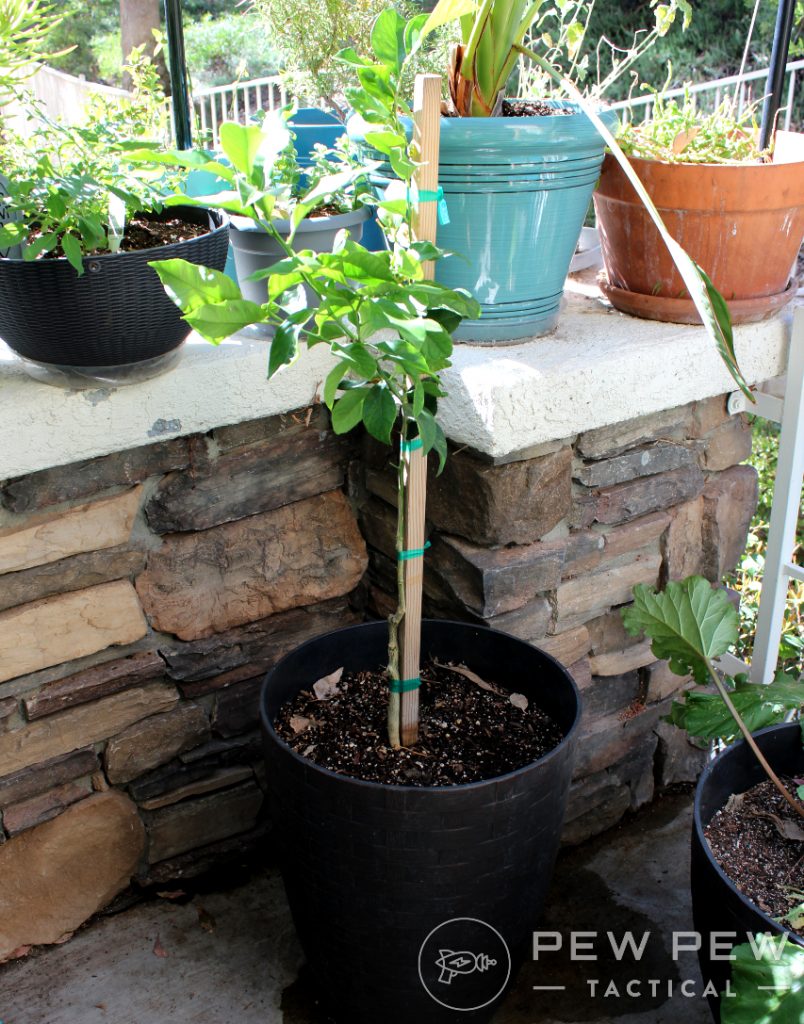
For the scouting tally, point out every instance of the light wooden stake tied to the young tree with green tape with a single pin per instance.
(427, 135)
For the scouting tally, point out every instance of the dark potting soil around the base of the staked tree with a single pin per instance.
(468, 734)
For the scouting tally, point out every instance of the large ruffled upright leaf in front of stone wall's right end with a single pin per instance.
(690, 624)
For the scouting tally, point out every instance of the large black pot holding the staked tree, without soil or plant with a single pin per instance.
(372, 871)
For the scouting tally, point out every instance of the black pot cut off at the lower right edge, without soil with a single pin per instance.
(717, 904)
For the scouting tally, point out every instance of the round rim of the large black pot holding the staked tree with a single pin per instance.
(306, 763)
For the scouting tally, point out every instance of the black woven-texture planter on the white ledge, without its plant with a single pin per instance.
(116, 314)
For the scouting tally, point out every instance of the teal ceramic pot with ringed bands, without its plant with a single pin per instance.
(518, 192)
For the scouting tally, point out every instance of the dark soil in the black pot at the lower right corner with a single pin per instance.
(764, 865)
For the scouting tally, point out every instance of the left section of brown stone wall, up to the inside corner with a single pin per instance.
(143, 596)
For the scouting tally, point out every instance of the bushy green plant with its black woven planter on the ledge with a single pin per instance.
(78, 300)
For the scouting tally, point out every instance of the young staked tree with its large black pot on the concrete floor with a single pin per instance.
(485, 826)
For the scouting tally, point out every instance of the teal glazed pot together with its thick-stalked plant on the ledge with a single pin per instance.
(518, 176)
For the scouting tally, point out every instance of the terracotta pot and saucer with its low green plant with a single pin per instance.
(721, 198)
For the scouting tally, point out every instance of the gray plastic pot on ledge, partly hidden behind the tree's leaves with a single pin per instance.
(257, 250)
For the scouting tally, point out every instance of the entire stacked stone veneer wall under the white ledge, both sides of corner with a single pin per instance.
(144, 594)
